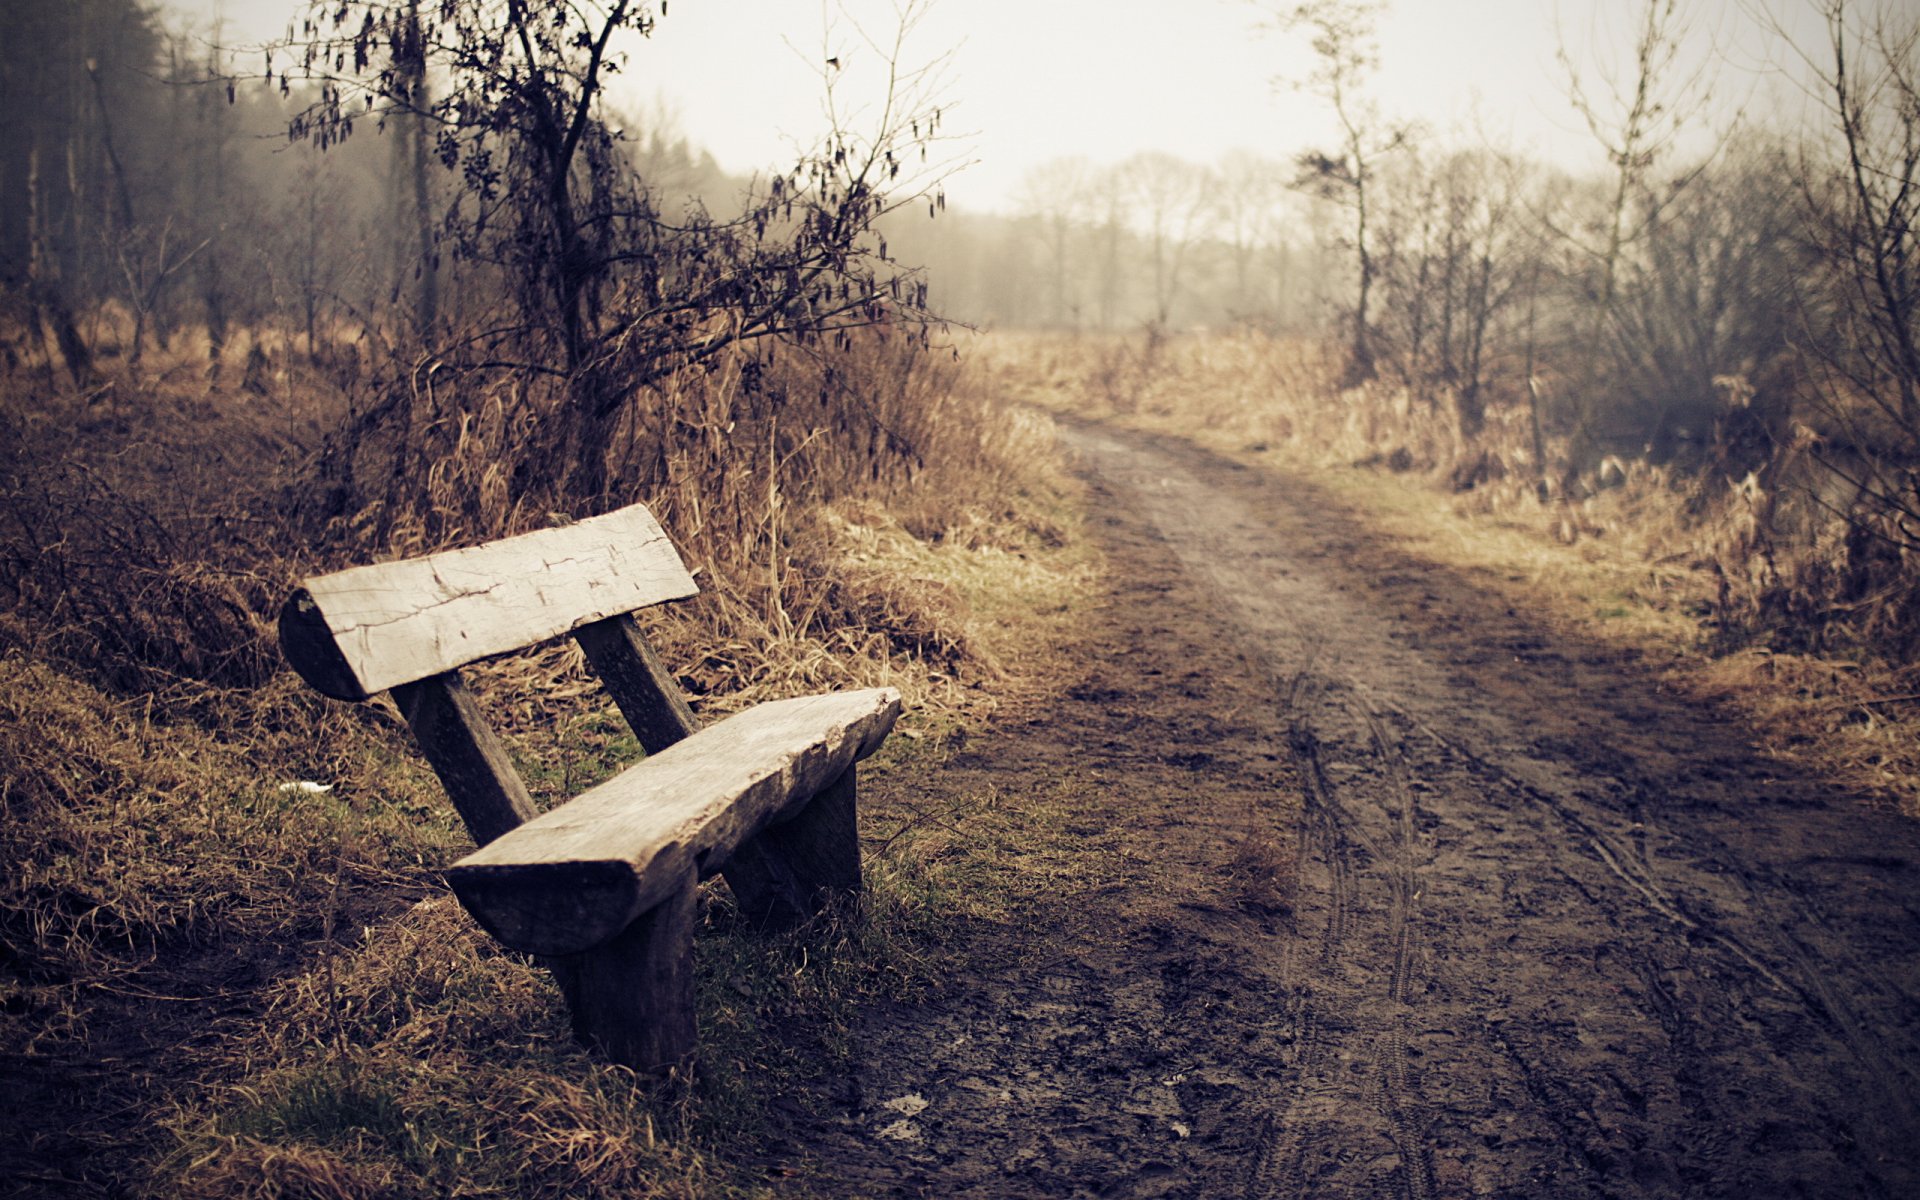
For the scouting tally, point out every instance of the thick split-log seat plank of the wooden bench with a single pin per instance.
(577, 876)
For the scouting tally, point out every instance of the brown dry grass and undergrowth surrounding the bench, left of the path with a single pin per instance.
(231, 882)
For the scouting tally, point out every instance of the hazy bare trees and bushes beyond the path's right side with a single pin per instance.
(1692, 302)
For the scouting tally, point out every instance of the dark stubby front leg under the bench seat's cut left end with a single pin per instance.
(633, 999)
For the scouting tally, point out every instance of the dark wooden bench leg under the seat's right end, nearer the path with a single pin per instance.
(790, 871)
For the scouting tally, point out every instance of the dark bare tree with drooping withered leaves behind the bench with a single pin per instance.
(610, 293)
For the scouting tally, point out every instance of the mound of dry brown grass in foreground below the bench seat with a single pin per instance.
(425, 1063)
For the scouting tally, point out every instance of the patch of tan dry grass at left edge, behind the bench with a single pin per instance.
(133, 840)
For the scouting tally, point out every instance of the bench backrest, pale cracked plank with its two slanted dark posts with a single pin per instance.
(410, 627)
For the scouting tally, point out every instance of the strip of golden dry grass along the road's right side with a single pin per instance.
(1752, 588)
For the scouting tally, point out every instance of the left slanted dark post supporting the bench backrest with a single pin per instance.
(466, 754)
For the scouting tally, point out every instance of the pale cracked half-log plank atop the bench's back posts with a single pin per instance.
(404, 621)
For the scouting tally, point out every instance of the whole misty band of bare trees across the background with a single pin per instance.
(1767, 281)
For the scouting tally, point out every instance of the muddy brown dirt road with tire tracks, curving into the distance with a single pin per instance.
(1550, 932)
